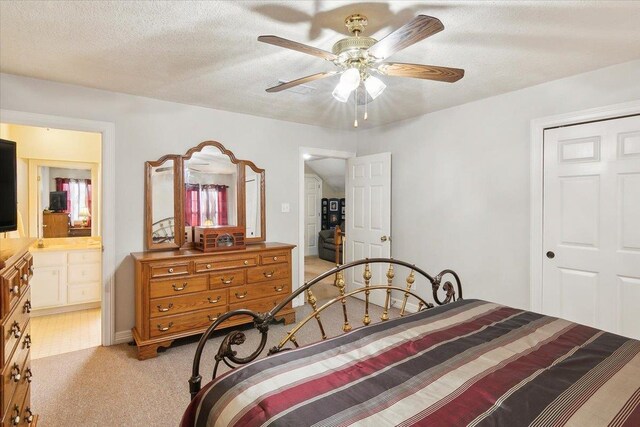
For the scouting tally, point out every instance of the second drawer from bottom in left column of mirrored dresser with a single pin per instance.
(161, 307)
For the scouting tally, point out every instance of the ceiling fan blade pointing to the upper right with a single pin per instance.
(419, 28)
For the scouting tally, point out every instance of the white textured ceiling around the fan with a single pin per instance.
(206, 53)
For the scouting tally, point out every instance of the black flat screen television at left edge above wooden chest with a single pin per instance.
(8, 187)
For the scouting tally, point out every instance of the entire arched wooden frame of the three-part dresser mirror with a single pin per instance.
(179, 240)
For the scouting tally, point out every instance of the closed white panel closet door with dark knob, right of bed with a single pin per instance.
(591, 269)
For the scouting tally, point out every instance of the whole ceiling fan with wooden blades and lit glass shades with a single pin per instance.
(359, 59)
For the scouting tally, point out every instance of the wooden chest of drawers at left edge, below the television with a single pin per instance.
(16, 270)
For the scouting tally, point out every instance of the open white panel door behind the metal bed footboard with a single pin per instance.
(368, 217)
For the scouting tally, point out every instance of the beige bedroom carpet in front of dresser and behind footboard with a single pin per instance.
(108, 386)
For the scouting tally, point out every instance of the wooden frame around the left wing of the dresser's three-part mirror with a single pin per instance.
(177, 209)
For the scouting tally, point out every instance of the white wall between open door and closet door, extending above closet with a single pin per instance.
(461, 179)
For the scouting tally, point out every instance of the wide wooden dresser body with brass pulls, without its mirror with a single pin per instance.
(180, 293)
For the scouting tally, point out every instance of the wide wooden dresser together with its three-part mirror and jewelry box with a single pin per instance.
(180, 290)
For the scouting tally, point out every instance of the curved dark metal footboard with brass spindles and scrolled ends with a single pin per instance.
(261, 321)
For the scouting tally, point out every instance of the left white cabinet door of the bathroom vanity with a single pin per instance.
(48, 287)
